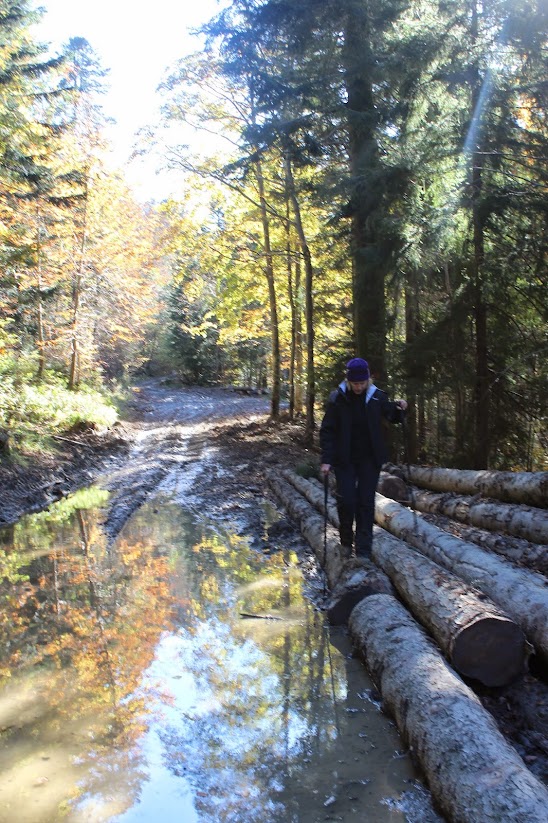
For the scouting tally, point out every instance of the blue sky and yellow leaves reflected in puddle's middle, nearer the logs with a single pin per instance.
(265, 690)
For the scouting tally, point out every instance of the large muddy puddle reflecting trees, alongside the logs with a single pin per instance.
(179, 675)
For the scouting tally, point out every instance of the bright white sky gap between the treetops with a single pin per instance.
(137, 42)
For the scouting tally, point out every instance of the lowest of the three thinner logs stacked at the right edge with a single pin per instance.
(514, 549)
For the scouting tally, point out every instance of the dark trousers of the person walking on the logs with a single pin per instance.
(356, 486)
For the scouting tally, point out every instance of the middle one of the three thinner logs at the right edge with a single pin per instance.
(522, 521)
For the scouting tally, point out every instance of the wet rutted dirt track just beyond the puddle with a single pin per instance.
(176, 438)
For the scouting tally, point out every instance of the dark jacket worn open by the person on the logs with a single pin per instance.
(336, 427)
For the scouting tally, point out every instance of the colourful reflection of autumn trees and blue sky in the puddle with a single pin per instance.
(92, 617)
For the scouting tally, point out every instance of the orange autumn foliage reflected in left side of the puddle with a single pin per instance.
(91, 618)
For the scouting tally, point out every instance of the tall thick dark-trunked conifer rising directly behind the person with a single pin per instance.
(342, 83)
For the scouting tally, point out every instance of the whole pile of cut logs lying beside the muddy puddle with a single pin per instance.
(444, 607)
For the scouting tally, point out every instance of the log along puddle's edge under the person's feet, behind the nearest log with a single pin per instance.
(350, 579)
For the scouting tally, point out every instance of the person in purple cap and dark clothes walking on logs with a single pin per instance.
(352, 443)
